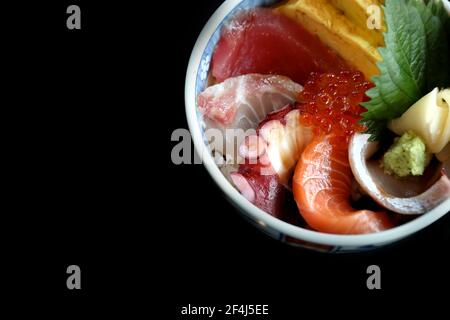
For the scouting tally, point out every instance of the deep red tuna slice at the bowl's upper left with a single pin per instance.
(263, 41)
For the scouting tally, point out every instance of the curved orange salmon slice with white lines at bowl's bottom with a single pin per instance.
(322, 187)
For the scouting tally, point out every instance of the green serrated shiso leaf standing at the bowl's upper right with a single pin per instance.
(414, 61)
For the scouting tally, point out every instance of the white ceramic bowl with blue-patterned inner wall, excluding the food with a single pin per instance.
(195, 83)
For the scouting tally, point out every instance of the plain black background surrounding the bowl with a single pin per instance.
(93, 183)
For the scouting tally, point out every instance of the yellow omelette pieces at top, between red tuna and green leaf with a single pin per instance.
(335, 24)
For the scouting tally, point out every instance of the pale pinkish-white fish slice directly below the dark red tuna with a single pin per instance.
(242, 102)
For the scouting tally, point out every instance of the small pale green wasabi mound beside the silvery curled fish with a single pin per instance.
(407, 156)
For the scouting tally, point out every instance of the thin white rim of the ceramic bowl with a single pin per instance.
(248, 208)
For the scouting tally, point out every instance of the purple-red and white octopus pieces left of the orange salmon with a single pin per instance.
(270, 157)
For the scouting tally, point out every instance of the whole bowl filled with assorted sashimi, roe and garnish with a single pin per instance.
(326, 122)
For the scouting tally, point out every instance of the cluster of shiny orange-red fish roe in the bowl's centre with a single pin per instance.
(331, 102)
